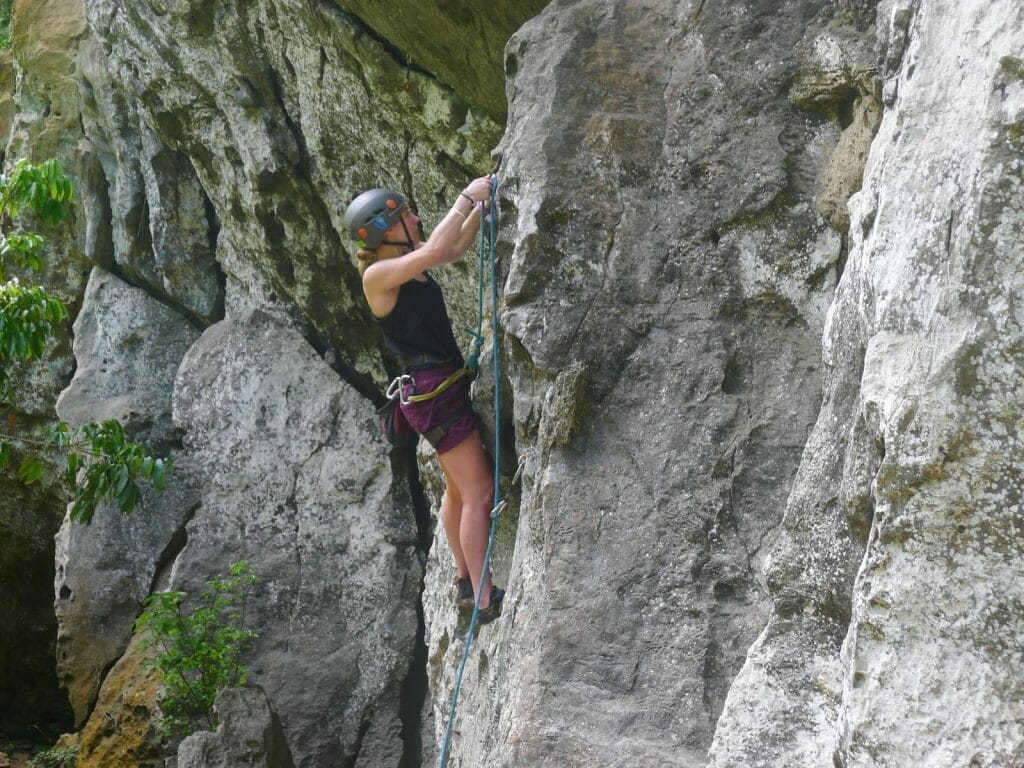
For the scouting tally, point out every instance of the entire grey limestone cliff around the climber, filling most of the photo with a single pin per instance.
(769, 434)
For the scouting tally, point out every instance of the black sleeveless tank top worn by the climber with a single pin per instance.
(419, 323)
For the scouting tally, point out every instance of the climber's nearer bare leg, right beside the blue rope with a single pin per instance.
(466, 468)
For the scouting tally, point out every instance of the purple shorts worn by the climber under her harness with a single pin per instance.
(452, 404)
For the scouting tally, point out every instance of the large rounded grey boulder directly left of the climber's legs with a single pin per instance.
(295, 481)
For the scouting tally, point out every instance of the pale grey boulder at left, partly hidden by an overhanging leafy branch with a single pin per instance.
(129, 347)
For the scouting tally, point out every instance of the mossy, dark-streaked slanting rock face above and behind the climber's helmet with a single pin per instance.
(241, 133)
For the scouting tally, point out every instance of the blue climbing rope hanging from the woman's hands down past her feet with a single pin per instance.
(488, 234)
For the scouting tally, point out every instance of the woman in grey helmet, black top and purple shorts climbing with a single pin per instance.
(409, 306)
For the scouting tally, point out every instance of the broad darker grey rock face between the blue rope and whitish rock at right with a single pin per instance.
(668, 278)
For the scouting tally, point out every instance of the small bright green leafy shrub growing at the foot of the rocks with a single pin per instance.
(198, 652)
